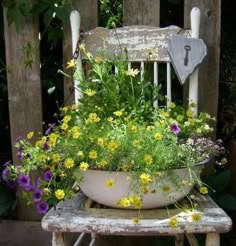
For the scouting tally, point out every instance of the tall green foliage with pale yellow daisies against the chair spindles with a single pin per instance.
(123, 89)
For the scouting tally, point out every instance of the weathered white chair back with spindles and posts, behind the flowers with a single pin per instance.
(141, 42)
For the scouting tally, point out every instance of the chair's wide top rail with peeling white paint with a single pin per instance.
(142, 42)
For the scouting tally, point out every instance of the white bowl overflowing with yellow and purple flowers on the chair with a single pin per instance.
(114, 137)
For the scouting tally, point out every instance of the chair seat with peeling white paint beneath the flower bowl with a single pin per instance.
(119, 221)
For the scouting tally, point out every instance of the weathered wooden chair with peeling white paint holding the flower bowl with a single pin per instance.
(140, 42)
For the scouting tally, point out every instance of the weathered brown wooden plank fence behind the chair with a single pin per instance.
(24, 89)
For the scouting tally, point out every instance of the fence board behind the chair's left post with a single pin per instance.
(89, 19)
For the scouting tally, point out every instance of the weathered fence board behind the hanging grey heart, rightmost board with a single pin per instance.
(209, 69)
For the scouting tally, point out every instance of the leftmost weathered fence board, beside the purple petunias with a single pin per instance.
(24, 88)
